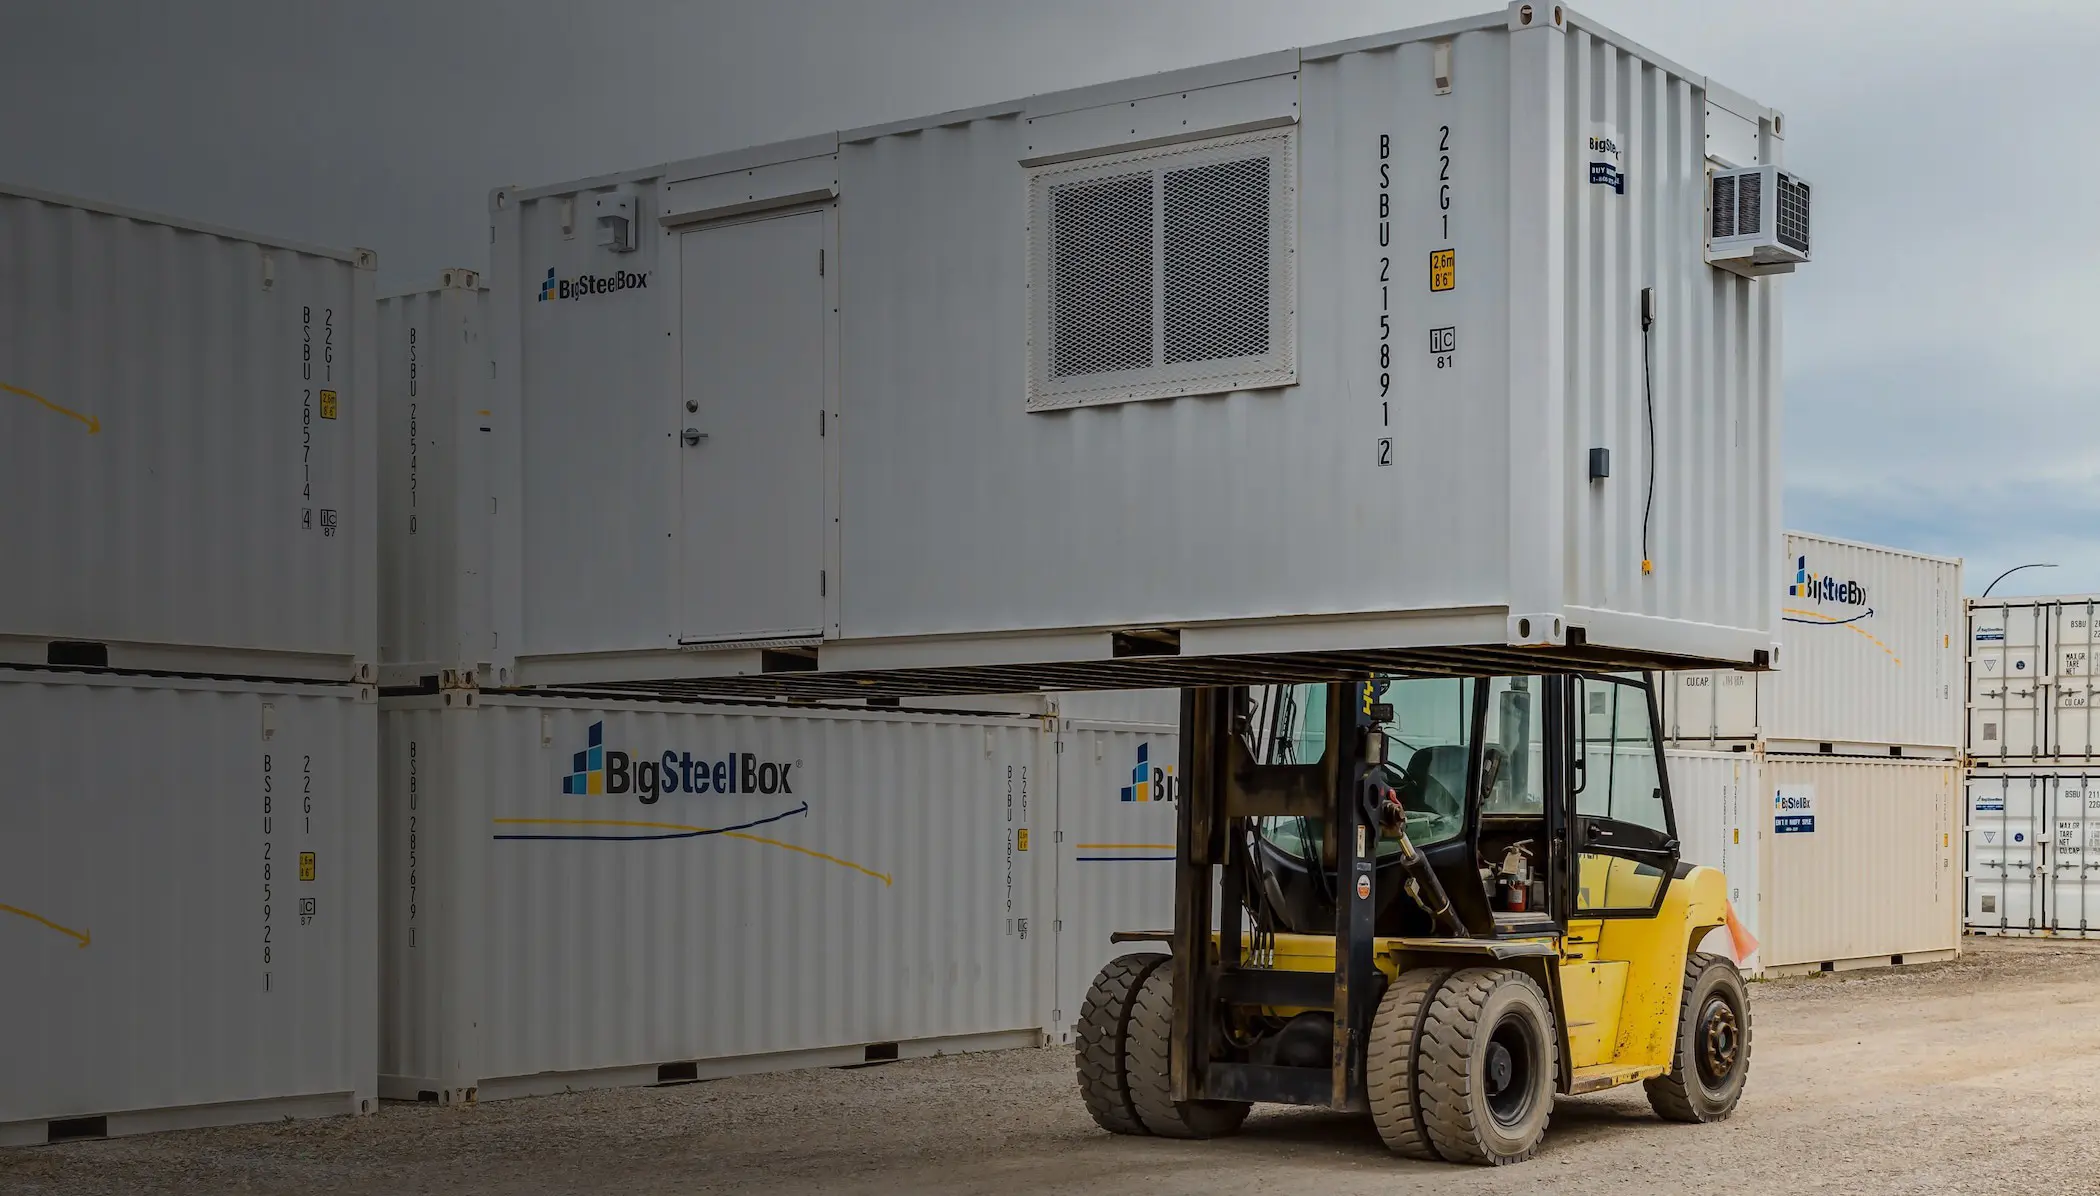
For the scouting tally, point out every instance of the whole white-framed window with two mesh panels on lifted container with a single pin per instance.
(1164, 272)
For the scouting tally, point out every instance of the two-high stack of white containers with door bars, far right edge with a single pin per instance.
(2034, 788)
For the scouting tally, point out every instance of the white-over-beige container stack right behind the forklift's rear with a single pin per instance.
(1857, 740)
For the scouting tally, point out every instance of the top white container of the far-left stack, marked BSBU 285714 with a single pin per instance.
(192, 446)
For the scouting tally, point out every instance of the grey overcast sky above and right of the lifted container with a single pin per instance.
(1941, 351)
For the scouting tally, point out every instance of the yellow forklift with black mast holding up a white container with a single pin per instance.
(1442, 901)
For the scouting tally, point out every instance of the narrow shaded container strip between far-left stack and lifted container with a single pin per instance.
(436, 427)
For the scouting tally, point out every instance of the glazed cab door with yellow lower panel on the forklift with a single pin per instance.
(1626, 845)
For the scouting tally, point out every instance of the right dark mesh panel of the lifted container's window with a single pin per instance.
(1215, 261)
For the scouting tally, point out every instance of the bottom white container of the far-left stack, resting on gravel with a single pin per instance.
(186, 903)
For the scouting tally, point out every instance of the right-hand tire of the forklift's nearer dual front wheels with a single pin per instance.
(1467, 1015)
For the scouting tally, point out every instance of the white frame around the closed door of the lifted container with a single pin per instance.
(671, 263)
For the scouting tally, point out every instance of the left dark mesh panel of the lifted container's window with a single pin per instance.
(1101, 276)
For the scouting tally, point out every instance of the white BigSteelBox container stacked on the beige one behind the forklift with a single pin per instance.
(1868, 660)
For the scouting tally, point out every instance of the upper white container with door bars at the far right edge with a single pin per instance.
(2034, 689)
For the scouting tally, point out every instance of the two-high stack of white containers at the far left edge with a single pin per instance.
(186, 863)
